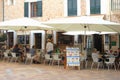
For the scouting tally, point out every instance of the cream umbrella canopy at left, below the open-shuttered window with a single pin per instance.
(23, 24)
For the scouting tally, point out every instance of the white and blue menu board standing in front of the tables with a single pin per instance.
(72, 56)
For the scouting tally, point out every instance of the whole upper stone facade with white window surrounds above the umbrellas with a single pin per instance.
(55, 9)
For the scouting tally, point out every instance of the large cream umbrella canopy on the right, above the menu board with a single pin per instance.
(84, 23)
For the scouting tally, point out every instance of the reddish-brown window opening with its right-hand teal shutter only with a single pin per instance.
(36, 9)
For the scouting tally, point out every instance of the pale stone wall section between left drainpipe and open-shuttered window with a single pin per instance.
(14, 11)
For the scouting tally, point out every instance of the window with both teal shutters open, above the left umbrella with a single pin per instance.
(33, 8)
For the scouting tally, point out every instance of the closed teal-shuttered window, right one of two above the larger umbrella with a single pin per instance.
(95, 6)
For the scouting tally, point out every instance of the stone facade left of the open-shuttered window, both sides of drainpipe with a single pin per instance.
(12, 10)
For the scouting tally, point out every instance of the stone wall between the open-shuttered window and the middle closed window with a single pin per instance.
(53, 9)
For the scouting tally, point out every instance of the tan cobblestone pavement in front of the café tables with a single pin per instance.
(19, 71)
